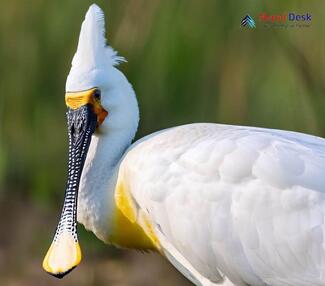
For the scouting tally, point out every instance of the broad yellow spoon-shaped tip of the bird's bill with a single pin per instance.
(63, 255)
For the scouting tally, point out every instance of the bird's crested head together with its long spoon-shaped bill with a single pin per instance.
(98, 97)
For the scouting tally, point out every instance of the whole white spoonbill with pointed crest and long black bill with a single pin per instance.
(226, 205)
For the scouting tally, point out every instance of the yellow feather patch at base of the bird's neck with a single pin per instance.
(133, 228)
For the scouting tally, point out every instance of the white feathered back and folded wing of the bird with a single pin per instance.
(248, 203)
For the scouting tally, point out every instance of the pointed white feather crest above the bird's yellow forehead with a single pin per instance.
(94, 57)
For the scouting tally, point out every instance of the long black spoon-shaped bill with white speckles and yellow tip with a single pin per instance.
(64, 253)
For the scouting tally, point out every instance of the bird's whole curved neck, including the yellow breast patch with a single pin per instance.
(105, 205)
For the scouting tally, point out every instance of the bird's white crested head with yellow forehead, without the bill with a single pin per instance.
(93, 76)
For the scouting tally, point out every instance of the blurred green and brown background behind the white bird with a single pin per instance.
(189, 61)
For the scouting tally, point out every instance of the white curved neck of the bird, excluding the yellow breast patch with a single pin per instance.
(96, 199)
